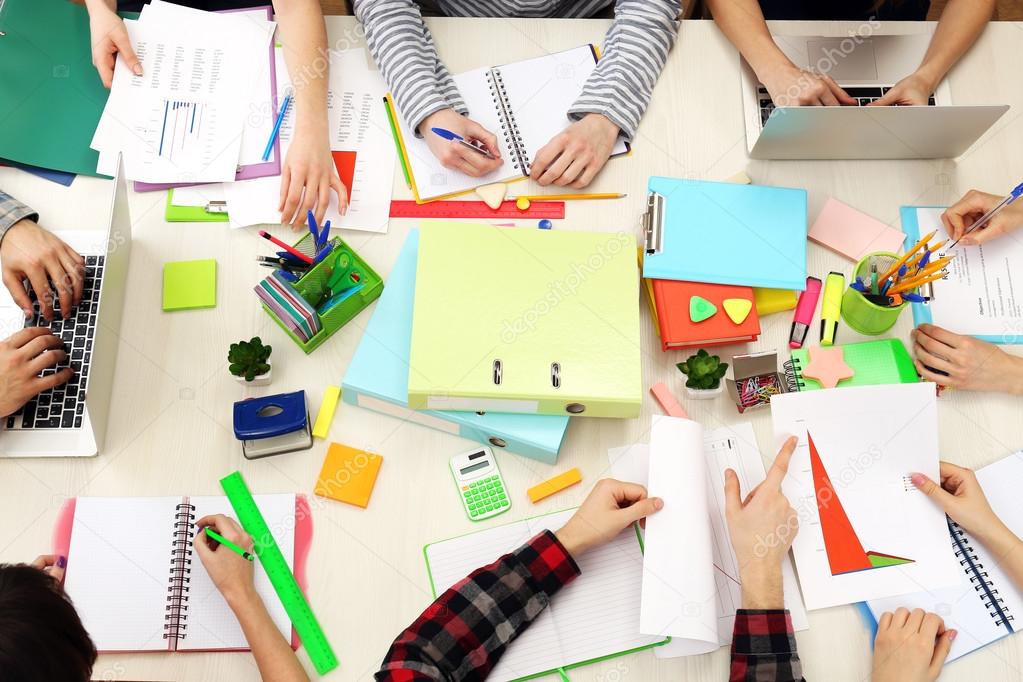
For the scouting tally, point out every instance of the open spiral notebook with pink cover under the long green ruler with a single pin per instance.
(139, 585)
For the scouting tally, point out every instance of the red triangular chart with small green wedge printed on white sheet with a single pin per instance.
(846, 553)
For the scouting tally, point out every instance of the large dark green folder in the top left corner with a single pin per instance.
(51, 95)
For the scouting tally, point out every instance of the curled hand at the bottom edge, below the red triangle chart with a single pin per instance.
(911, 647)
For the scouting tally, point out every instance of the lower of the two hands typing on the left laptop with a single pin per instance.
(23, 357)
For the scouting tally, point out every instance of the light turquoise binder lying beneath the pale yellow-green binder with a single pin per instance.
(378, 377)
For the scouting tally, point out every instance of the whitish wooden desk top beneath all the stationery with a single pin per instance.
(171, 430)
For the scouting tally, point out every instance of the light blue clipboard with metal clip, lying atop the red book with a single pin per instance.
(727, 234)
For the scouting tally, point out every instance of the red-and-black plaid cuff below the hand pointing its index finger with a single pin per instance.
(764, 648)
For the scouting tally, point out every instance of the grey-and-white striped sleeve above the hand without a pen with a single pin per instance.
(635, 53)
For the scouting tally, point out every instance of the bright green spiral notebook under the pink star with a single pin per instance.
(876, 362)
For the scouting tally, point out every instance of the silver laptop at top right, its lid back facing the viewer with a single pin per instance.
(867, 68)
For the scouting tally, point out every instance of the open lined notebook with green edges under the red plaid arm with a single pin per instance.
(595, 617)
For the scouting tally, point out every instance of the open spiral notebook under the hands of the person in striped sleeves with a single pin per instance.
(524, 105)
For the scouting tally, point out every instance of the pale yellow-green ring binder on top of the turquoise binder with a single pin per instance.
(526, 322)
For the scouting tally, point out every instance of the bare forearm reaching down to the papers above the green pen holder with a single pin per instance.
(303, 37)
